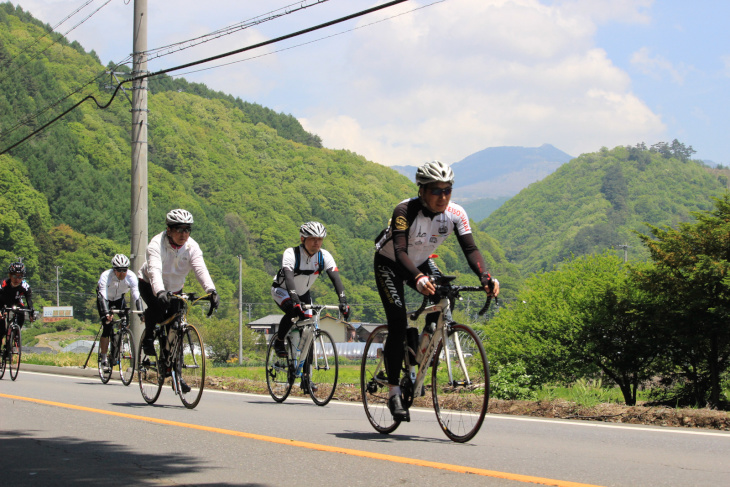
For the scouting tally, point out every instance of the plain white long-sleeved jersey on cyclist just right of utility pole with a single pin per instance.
(165, 268)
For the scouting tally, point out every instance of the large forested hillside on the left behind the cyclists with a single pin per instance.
(67, 202)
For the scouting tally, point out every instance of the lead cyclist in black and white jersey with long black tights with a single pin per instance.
(418, 226)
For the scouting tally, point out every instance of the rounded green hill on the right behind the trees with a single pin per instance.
(599, 200)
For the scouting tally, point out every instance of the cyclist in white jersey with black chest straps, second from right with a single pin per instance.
(300, 268)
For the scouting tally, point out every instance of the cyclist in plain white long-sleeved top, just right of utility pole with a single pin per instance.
(170, 256)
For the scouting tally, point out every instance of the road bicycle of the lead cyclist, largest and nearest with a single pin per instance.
(459, 381)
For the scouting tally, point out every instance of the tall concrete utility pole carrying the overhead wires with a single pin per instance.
(139, 146)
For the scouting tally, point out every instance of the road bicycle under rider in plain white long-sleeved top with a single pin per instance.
(179, 354)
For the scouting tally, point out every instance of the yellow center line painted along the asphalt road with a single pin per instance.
(315, 446)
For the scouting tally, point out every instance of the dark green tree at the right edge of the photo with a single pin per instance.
(691, 280)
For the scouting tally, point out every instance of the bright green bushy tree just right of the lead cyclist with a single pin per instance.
(575, 321)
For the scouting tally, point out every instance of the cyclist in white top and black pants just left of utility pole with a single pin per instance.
(110, 290)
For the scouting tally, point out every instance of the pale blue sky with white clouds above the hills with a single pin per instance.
(432, 79)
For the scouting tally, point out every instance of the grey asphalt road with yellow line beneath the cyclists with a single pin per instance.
(73, 430)
